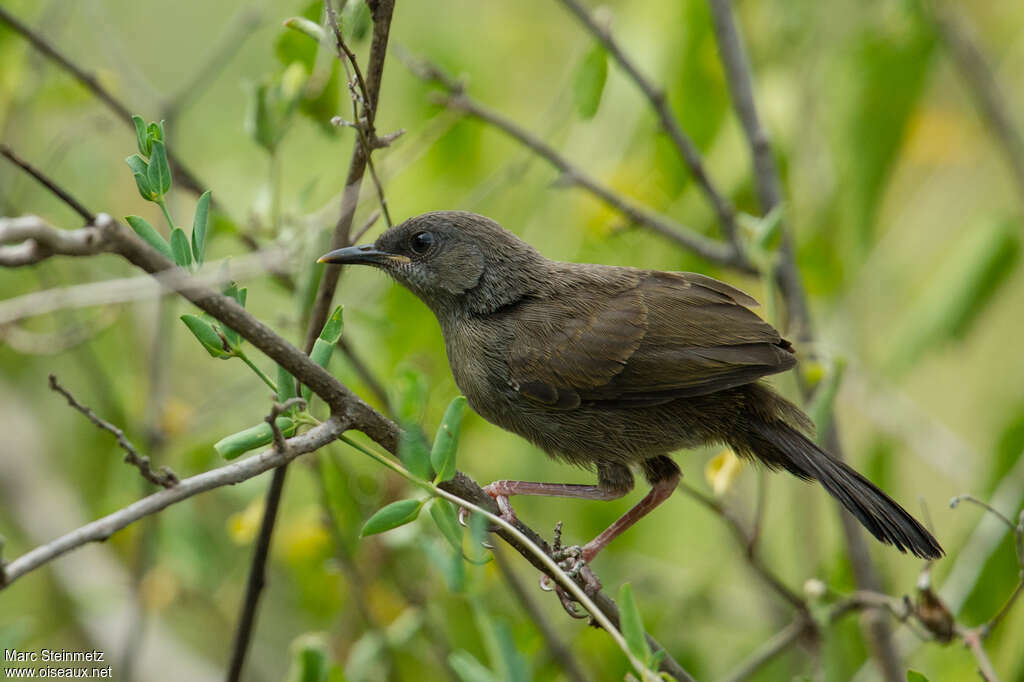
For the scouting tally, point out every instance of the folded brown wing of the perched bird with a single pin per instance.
(669, 335)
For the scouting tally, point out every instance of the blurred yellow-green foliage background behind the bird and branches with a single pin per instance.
(908, 225)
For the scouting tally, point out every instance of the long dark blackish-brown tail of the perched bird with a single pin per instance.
(780, 446)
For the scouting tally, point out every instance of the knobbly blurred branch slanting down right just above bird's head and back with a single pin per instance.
(711, 250)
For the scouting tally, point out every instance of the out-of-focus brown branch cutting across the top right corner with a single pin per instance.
(977, 73)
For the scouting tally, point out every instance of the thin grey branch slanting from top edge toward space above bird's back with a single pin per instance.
(660, 103)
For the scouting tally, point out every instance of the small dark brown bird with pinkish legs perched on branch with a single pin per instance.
(614, 368)
